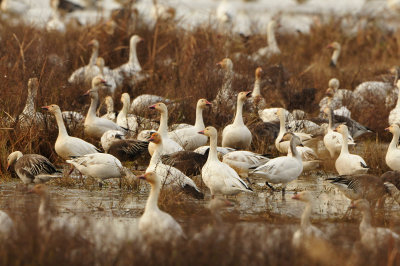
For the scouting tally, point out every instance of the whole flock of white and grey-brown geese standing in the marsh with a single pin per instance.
(175, 156)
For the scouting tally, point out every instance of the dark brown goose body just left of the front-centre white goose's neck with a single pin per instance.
(189, 162)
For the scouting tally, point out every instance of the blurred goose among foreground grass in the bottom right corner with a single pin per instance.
(373, 237)
